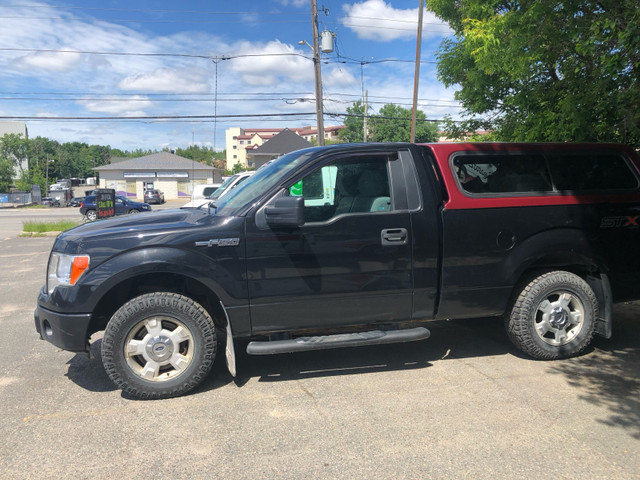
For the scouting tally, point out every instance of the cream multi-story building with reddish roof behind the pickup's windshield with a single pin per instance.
(239, 141)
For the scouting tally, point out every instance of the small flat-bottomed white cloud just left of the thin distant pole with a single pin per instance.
(166, 80)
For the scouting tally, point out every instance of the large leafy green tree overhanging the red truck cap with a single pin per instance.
(545, 71)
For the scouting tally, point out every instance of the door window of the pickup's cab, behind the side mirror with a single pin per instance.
(349, 185)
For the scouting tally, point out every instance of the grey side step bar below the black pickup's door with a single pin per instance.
(301, 344)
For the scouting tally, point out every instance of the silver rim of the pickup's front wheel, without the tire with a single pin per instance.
(159, 348)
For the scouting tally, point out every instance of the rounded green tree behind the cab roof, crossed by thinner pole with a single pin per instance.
(393, 124)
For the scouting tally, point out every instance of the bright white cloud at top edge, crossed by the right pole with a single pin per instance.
(377, 20)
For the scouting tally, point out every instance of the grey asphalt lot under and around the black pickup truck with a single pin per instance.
(463, 404)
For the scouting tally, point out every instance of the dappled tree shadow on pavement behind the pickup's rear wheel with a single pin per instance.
(609, 377)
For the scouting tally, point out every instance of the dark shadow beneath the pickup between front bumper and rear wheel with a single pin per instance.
(449, 340)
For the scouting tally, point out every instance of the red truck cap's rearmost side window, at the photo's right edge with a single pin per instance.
(591, 171)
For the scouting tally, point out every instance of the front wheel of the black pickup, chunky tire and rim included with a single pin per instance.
(159, 345)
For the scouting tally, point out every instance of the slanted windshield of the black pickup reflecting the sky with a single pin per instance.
(262, 181)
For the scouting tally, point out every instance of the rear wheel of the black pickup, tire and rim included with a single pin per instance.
(553, 317)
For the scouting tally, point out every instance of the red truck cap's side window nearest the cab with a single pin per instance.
(490, 173)
